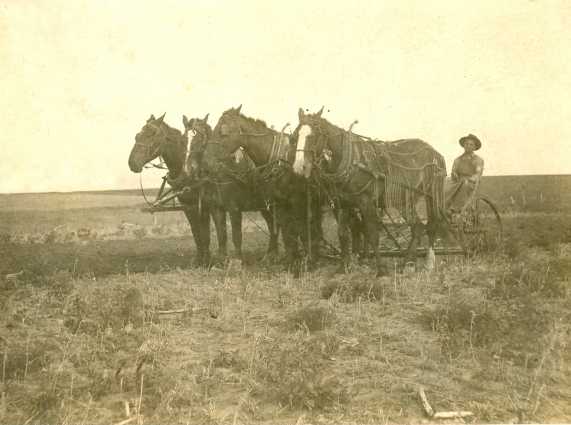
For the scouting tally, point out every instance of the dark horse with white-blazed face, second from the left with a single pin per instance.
(227, 188)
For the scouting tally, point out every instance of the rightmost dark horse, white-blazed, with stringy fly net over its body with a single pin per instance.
(373, 177)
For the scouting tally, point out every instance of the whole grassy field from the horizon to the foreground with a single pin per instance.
(105, 321)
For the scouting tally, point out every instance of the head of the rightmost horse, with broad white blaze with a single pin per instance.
(310, 142)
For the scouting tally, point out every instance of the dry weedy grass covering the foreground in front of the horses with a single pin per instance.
(260, 347)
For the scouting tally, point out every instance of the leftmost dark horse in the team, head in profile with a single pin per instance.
(158, 139)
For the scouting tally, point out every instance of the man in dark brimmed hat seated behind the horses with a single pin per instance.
(466, 173)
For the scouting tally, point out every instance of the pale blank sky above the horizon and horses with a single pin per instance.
(78, 79)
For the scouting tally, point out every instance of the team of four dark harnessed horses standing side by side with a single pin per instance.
(243, 165)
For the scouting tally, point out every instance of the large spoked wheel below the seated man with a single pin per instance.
(479, 227)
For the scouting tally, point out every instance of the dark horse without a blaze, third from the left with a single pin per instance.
(297, 205)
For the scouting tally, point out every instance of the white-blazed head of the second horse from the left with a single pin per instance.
(198, 132)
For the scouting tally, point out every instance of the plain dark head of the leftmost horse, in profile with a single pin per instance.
(149, 143)
